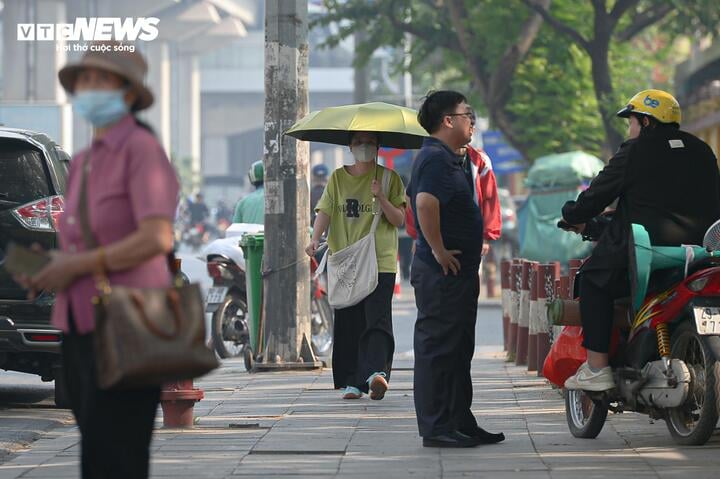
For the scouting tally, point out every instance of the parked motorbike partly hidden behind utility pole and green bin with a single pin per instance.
(227, 298)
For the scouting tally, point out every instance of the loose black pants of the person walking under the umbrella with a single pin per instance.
(363, 337)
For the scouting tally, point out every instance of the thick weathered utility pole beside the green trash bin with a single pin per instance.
(286, 283)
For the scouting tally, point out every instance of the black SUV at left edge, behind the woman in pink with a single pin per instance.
(33, 175)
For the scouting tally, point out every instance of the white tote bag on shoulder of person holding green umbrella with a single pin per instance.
(352, 272)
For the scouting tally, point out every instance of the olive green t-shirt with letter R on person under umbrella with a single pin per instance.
(348, 201)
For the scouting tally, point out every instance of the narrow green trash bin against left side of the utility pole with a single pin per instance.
(252, 245)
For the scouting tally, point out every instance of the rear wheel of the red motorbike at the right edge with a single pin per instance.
(693, 423)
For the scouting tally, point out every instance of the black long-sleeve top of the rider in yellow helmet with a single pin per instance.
(666, 180)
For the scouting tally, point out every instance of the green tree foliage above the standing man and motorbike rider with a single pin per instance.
(552, 102)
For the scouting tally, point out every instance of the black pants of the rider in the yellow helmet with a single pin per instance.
(598, 291)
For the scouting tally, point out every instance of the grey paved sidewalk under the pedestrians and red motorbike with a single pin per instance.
(295, 425)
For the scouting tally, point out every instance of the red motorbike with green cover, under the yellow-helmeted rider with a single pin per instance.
(666, 362)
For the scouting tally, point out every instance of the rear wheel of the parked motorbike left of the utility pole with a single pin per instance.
(230, 320)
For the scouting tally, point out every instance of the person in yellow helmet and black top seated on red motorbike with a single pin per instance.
(662, 178)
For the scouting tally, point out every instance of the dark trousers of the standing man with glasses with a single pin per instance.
(444, 347)
